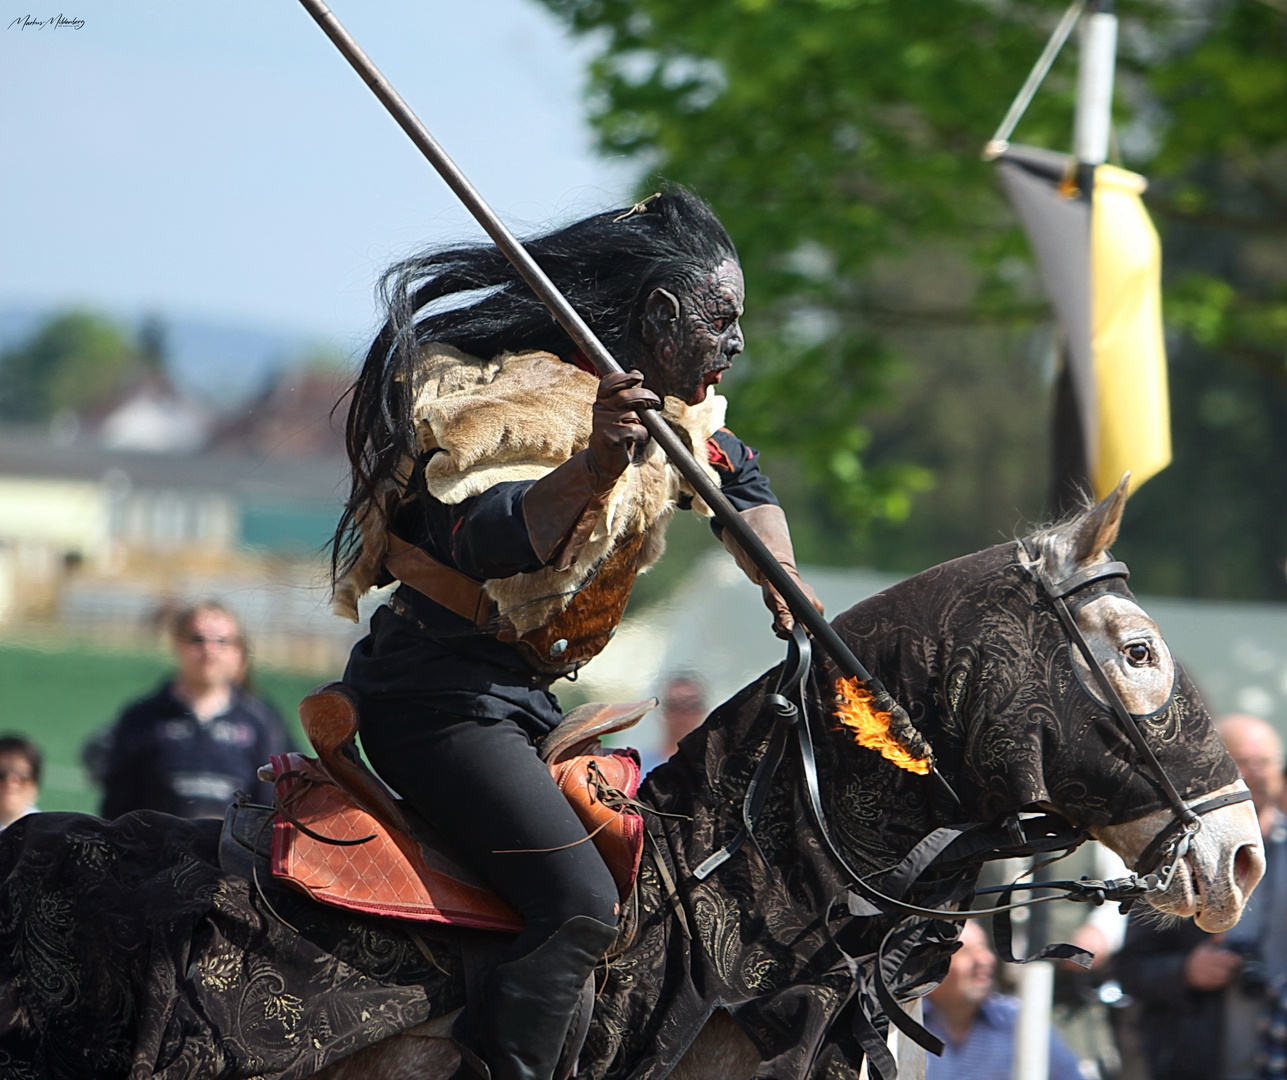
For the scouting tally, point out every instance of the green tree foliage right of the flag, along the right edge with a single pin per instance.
(1216, 523)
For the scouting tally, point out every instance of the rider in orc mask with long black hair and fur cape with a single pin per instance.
(515, 496)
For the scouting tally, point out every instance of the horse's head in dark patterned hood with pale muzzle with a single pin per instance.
(977, 652)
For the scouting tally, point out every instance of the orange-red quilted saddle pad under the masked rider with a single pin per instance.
(391, 873)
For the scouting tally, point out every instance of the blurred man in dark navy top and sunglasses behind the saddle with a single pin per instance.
(200, 738)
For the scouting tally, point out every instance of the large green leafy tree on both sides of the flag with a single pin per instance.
(898, 343)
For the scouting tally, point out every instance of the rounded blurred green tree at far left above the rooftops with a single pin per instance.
(71, 362)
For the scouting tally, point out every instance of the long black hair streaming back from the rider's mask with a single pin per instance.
(607, 266)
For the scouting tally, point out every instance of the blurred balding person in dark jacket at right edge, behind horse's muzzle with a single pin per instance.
(1204, 996)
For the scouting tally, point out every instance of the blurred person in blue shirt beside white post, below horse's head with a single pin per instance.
(977, 1024)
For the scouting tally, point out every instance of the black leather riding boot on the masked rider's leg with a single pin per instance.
(528, 1005)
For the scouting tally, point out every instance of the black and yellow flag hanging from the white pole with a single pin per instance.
(1101, 262)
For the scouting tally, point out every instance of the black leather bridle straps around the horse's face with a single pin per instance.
(1156, 867)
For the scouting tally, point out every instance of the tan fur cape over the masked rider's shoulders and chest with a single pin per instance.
(518, 418)
